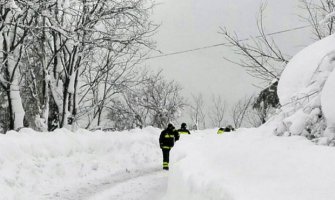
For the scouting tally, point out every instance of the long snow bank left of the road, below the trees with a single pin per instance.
(34, 164)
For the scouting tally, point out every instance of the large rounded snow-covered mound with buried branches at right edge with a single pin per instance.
(307, 78)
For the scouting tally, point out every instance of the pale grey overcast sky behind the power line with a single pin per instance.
(187, 24)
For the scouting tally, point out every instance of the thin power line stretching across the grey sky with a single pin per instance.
(221, 44)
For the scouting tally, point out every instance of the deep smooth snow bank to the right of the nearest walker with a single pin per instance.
(250, 164)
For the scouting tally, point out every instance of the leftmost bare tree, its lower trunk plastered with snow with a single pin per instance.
(14, 28)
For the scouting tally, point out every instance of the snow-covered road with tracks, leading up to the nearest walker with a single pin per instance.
(130, 185)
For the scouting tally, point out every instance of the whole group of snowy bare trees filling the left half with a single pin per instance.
(66, 62)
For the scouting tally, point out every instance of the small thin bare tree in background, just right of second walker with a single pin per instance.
(196, 112)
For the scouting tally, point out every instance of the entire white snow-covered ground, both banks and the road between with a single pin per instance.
(248, 164)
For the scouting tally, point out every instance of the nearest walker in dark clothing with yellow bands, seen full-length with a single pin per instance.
(166, 141)
